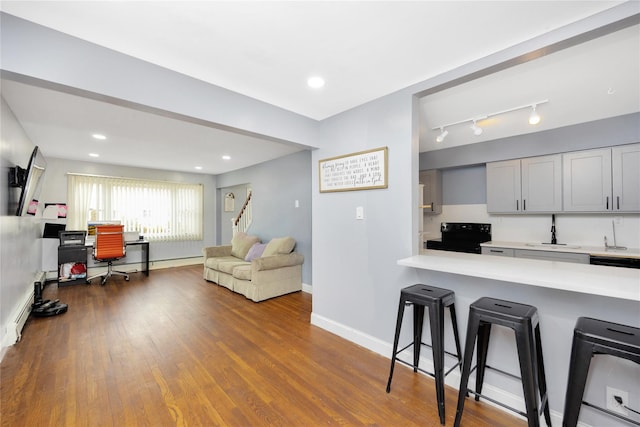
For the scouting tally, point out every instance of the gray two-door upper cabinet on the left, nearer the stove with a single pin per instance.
(525, 185)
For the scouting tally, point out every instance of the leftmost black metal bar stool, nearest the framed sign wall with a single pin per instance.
(436, 300)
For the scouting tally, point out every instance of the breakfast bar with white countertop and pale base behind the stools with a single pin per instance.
(562, 292)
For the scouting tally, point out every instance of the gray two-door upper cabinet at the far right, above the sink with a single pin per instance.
(602, 180)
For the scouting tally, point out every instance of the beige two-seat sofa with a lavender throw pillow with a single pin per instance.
(275, 271)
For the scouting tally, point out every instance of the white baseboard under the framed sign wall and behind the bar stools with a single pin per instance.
(384, 348)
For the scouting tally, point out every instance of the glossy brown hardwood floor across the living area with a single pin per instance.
(173, 350)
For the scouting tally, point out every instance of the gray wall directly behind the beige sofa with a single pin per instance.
(276, 185)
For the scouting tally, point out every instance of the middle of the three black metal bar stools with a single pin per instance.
(523, 319)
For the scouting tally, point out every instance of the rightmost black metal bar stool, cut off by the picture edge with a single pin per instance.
(591, 337)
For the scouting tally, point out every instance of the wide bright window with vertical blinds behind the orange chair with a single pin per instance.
(160, 211)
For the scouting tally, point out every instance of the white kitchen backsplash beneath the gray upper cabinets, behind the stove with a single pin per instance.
(577, 229)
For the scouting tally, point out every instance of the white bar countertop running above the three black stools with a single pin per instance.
(614, 282)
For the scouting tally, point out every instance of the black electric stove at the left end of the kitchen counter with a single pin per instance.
(461, 237)
